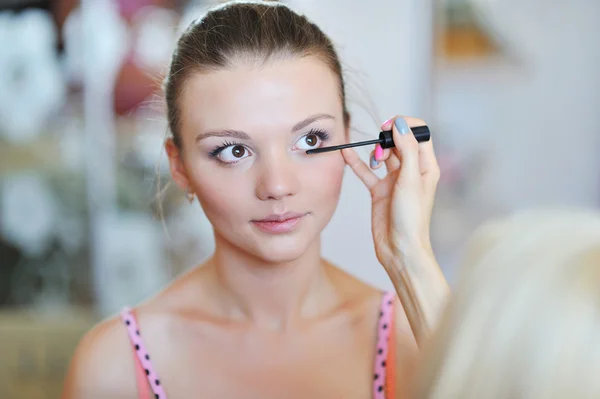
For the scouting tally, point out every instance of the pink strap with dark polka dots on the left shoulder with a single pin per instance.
(146, 376)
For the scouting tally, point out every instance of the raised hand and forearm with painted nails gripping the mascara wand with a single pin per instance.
(402, 196)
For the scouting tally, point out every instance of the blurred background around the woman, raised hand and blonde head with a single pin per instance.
(510, 89)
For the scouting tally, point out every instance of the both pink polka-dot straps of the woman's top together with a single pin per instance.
(383, 381)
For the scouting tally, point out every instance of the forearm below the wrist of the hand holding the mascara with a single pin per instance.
(422, 289)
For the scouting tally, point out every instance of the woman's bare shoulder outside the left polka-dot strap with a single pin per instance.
(103, 364)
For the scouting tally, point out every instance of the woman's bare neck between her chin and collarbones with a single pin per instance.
(271, 295)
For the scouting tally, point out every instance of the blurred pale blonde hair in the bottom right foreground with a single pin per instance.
(524, 321)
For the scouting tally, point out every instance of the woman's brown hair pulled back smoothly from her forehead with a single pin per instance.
(248, 31)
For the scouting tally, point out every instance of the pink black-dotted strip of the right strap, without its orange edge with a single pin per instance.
(384, 329)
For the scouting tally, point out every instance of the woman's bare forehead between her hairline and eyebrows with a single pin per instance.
(279, 92)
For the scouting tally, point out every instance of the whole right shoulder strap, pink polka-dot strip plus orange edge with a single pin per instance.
(383, 386)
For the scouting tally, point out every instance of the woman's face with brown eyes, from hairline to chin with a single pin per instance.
(245, 132)
